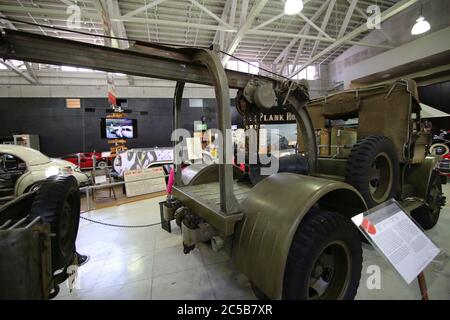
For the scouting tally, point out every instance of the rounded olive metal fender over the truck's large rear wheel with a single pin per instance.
(273, 210)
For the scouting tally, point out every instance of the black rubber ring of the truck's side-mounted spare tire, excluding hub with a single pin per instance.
(360, 161)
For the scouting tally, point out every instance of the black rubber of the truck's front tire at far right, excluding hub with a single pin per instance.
(424, 215)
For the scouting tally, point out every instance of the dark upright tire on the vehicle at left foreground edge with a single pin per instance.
(57, 202)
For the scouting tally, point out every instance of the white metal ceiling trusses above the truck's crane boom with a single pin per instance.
(238, 26)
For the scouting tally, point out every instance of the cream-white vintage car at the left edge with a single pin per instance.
(22, 169)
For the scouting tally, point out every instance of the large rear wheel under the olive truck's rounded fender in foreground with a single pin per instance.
(325, 259)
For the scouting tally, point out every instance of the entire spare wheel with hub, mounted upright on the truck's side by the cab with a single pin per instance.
(373, 169)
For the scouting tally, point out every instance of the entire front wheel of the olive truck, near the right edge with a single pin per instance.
(427, 215)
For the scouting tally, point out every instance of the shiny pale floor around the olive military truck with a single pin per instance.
(148, 263)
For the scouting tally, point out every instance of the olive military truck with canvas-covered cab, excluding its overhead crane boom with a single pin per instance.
(290, 233)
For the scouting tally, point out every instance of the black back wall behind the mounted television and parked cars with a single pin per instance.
(64, 131)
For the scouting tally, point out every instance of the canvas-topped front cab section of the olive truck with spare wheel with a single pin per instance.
(384, 150)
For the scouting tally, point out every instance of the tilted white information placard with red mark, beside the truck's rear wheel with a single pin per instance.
(399, 239)
